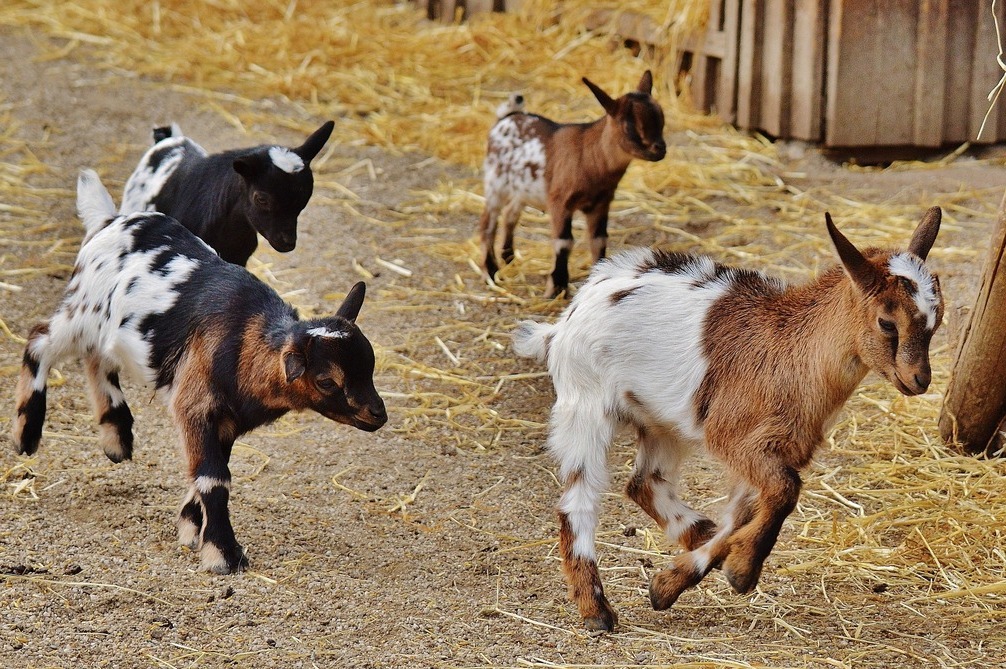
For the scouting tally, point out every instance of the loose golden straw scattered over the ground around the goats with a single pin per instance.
(893, 525)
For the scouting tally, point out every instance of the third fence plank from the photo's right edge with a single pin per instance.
(931, 74)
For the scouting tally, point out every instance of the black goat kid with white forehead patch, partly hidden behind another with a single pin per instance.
(227, 199)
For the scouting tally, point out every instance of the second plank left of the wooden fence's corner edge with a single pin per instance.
(777, 68)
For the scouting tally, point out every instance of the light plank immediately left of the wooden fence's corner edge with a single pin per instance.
(806, 102)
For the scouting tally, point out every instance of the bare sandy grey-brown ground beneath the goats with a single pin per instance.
(402, 549)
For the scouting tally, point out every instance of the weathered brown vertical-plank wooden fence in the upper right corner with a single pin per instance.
(853, 73)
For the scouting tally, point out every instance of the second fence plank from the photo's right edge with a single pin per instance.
(961, 22)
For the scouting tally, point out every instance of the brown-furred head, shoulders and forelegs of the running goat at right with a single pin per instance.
(781, 365)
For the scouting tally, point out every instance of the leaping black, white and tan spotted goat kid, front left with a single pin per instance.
(228, 355)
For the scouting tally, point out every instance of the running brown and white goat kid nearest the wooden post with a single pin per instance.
(692, 354)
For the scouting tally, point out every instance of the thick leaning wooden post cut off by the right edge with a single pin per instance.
(975, 405)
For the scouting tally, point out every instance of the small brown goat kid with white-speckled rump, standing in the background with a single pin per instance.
(563, 169)
